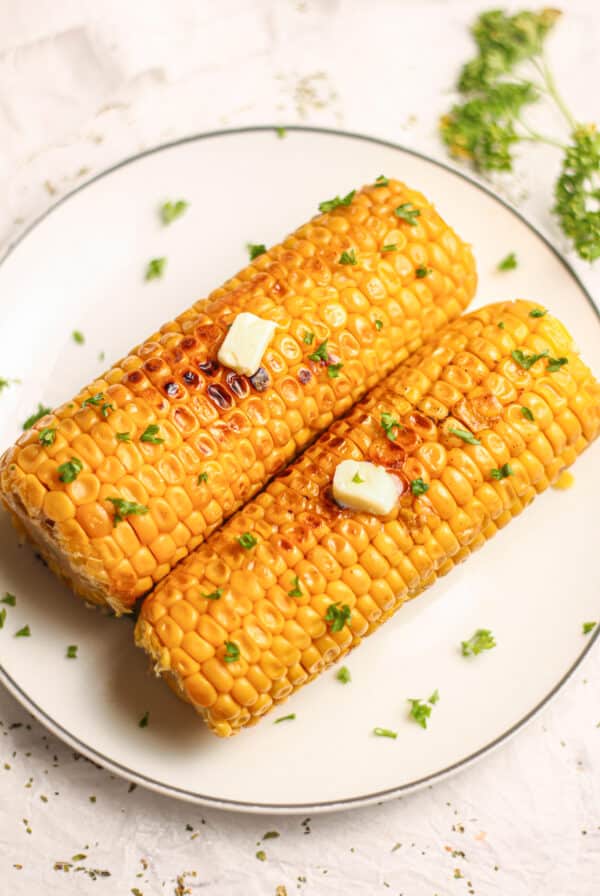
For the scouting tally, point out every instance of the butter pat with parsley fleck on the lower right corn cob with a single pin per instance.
(361, 485)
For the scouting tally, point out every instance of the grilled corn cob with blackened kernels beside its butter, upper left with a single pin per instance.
(168, 443)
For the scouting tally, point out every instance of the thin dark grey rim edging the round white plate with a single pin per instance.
(327, 805)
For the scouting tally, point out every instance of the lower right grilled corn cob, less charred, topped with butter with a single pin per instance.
(239, 626)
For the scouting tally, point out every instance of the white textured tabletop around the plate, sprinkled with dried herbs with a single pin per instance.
(81, 86)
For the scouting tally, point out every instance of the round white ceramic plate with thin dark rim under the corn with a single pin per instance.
(81, 267)
